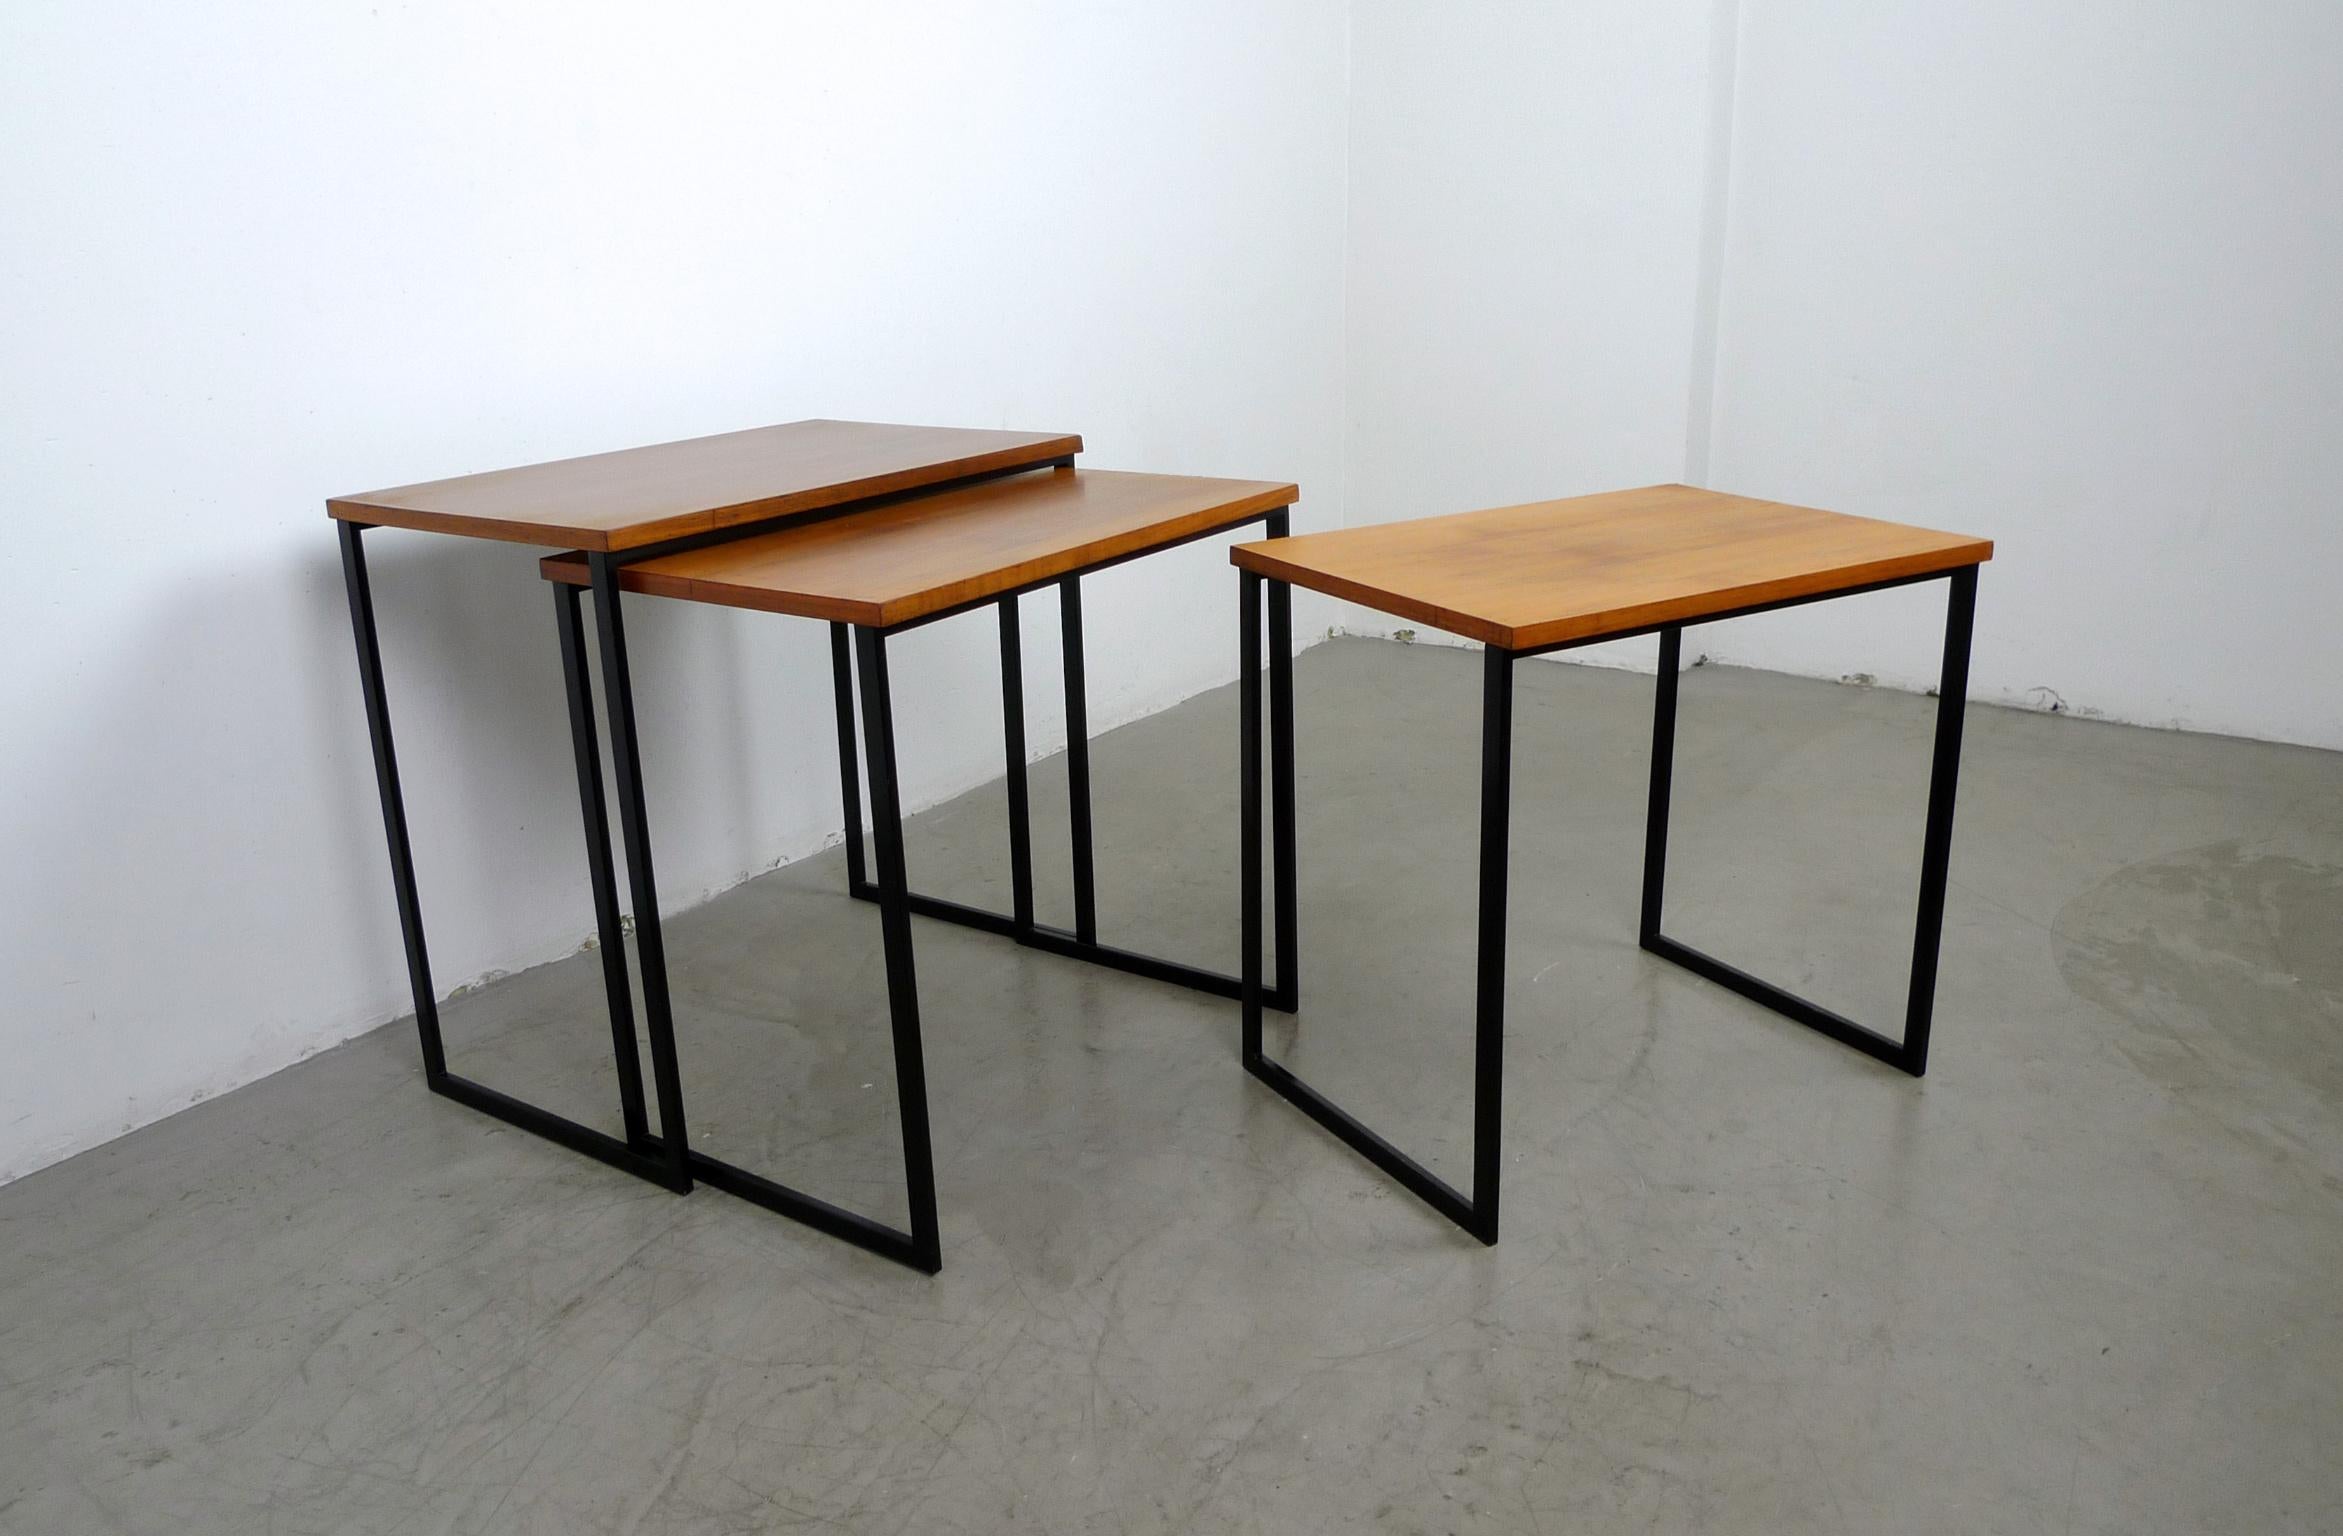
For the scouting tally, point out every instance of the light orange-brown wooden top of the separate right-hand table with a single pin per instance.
(1524, 577)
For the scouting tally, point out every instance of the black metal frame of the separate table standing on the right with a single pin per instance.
(1477, 1212)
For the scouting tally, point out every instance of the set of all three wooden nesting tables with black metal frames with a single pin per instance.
(880, 530)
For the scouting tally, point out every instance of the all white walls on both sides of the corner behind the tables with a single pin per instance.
(2065, 275)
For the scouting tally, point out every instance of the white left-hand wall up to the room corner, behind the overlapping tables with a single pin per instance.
(264, 254)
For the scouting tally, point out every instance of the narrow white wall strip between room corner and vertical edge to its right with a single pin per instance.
(1524, 252)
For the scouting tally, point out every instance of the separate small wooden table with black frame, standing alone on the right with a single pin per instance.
(1559, 575)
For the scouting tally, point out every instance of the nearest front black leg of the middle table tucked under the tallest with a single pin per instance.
(896, 928)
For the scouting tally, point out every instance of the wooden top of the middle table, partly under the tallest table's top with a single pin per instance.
(936, 551)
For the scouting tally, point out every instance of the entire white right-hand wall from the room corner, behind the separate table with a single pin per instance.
(2065, 275)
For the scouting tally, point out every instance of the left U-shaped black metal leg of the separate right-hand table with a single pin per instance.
(1477, 1212)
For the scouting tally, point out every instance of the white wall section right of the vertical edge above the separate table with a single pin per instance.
(2068, 275)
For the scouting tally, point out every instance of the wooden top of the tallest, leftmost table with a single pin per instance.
(674, 491)
